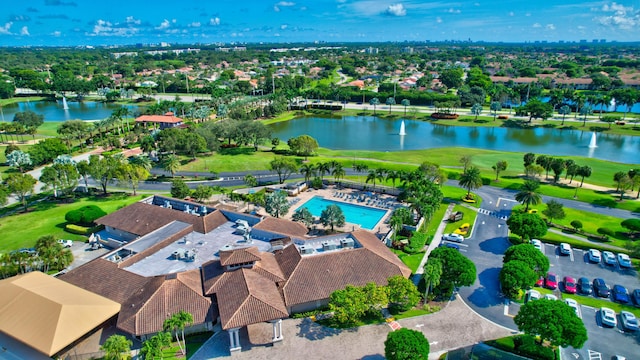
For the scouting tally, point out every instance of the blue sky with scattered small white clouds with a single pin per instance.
(94, 22)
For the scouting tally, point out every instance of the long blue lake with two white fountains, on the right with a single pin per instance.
(372, 133)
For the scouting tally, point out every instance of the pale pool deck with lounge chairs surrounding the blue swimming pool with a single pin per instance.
(349, 196)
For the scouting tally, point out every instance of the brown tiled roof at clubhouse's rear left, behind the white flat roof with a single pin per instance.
(141, 219)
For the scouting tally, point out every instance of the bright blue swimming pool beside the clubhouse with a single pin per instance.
(365, 216)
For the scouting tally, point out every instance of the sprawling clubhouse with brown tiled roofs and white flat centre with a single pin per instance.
(224, 267)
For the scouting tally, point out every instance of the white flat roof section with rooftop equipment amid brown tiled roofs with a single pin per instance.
(205, 247)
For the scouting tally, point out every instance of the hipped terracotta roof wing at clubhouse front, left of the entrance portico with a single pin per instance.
(163, 296)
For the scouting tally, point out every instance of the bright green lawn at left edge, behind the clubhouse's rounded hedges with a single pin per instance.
(47, 218)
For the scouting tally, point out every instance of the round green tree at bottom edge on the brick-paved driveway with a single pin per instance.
(406, 344)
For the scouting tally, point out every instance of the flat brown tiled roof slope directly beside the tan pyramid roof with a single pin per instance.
(103, 277)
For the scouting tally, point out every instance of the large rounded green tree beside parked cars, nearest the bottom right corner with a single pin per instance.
(553, 321)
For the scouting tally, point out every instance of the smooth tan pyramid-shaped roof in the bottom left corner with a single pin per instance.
(48, 314)
